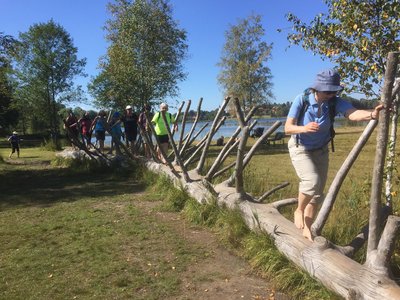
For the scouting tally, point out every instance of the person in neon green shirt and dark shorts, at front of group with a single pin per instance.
(161, 130)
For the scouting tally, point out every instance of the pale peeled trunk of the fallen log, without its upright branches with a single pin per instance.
(337, 272)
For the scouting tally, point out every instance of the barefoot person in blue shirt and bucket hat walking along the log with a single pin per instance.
(310, 130)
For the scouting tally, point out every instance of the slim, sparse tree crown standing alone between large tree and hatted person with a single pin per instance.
(244, 72)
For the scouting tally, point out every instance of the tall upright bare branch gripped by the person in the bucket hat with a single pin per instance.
(380, 154)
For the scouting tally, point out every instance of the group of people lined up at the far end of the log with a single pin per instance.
(131, 123)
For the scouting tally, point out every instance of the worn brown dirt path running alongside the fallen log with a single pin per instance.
(220, 275)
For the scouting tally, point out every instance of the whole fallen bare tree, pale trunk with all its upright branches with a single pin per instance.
(329, 263)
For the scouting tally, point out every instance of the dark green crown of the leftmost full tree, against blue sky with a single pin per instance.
(46, 64)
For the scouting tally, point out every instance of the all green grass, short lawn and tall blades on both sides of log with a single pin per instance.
(77, 231)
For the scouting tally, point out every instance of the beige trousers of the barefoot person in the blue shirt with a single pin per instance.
(312, 169)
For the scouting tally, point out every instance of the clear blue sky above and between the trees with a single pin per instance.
(205, 21)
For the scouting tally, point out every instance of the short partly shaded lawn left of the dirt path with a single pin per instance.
(80, 234)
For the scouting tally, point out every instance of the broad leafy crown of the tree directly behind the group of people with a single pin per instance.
(144, 60)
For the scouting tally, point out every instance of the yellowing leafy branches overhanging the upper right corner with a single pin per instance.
(355, 35)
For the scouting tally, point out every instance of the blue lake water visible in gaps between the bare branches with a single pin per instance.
(225, 130)
